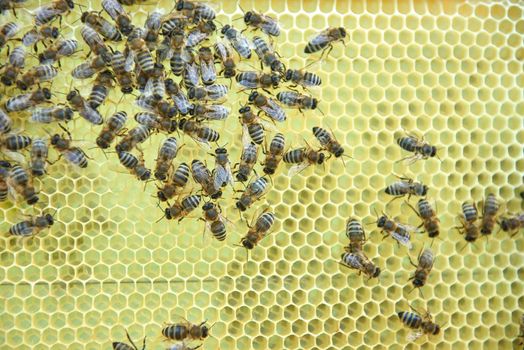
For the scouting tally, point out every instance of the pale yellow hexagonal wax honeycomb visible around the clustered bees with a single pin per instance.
(449, 70)
